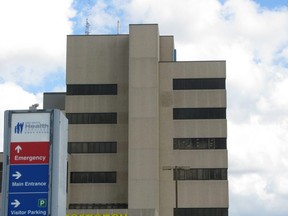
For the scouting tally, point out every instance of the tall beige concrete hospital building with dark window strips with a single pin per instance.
(147, 134)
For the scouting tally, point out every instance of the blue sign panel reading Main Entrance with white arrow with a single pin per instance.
(28, 178)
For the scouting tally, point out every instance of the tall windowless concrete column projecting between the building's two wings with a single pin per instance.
(143, 175)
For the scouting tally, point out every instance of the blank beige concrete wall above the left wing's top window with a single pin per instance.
(97, 59)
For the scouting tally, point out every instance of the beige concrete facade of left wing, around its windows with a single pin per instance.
(82, 58)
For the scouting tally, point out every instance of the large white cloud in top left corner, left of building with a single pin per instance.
(33, 39)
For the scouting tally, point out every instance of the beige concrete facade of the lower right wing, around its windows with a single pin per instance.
(192, 194)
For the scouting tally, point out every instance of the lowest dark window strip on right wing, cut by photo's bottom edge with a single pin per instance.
(201, 211)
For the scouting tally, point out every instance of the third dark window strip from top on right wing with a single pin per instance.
(199, 143)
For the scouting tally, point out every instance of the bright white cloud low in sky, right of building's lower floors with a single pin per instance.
(258, 160)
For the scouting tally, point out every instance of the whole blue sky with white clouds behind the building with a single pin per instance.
(252, 36)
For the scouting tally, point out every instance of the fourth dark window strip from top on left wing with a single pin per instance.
(93, 177)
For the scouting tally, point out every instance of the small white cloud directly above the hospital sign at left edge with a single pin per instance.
(14, 97)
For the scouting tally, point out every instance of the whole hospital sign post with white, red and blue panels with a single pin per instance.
(35, 148)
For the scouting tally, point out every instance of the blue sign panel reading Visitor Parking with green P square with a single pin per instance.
(28, 204)
